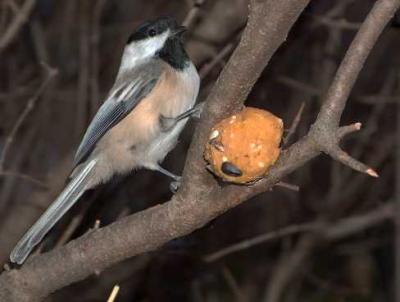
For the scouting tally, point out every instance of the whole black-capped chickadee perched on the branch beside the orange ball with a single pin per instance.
(138, 124)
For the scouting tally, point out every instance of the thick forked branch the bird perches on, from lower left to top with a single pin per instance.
(199, 201)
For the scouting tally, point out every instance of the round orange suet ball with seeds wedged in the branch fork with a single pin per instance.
(242, 147)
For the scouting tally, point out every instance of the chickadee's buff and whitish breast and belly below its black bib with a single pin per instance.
(137, 141)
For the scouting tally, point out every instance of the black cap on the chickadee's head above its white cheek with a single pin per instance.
(155, 27)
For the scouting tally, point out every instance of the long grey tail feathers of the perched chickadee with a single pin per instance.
(75, 188)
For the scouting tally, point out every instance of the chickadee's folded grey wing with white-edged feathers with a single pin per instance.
(129, 90)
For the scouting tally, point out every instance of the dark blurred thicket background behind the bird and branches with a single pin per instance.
(83, 40)
